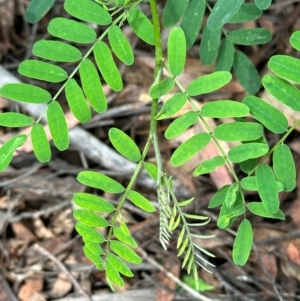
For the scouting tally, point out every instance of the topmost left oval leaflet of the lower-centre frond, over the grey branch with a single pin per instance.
(124, 144)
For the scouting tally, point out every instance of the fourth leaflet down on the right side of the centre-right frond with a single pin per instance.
(247, 151)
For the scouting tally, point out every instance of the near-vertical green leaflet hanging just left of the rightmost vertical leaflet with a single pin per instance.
(267, 188)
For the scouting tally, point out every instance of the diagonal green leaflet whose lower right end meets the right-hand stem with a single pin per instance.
(269, 116)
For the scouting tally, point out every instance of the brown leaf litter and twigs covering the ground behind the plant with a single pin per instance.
(40, 254)
